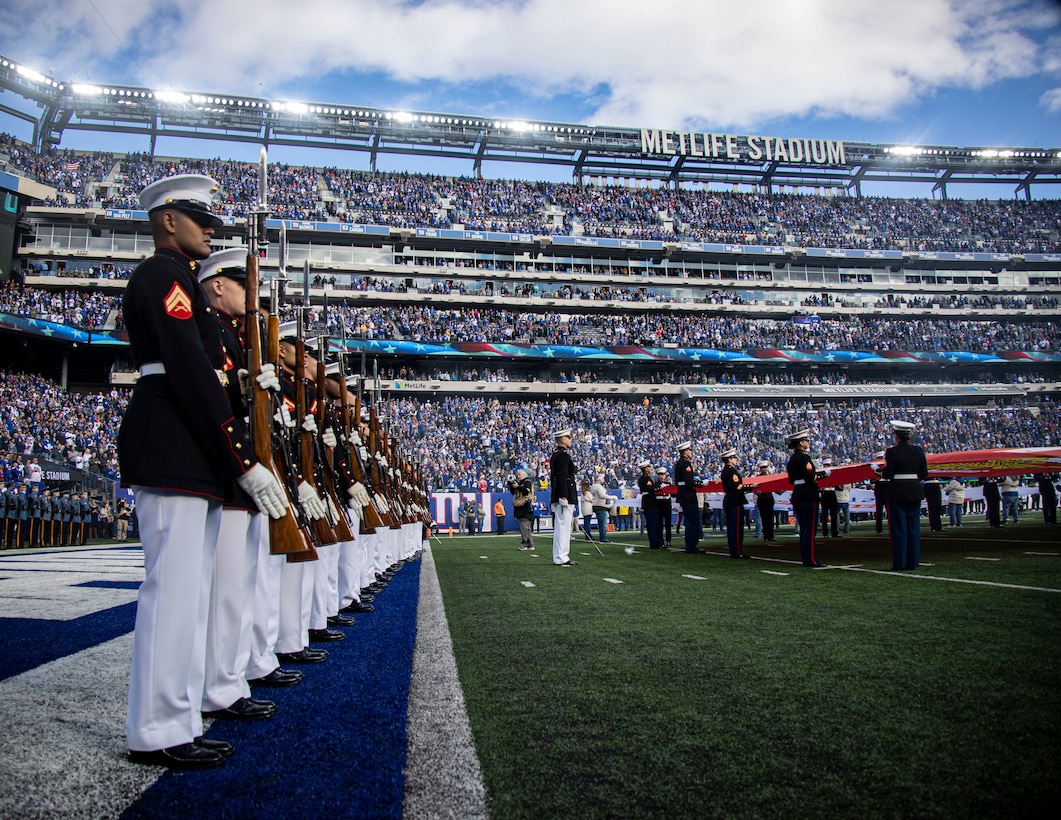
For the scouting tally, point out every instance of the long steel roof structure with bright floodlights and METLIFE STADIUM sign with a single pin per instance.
(650, 154)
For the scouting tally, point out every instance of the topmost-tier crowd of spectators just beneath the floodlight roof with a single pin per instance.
(408, 201)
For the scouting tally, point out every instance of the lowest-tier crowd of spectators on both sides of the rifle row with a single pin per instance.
(462, 441)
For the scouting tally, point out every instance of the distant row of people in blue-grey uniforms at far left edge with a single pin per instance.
(33, 518)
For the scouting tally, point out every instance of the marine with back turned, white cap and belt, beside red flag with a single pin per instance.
(906, 468)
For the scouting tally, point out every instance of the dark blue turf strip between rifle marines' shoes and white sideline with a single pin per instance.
(337, 746)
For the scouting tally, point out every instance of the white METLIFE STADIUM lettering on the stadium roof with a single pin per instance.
(742, 148)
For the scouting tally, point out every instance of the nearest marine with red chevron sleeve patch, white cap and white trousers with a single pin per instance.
(183, 451)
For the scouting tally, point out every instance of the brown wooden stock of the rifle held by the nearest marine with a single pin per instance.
(285, 535)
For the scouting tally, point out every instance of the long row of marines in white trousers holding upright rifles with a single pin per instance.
(272, 505)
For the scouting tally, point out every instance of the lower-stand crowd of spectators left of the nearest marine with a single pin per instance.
(38, 417)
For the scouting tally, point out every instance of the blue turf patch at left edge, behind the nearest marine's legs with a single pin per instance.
(27, 643)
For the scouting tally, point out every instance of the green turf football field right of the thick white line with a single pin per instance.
(665, 685)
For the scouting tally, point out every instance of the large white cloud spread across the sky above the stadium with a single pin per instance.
(667, 63)
